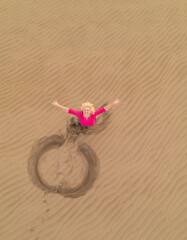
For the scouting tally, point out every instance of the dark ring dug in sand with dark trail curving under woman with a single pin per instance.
(55, 141)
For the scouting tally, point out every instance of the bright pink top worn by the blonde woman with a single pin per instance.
(89, 121)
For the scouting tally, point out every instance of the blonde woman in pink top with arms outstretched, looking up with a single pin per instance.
(87, 116)
